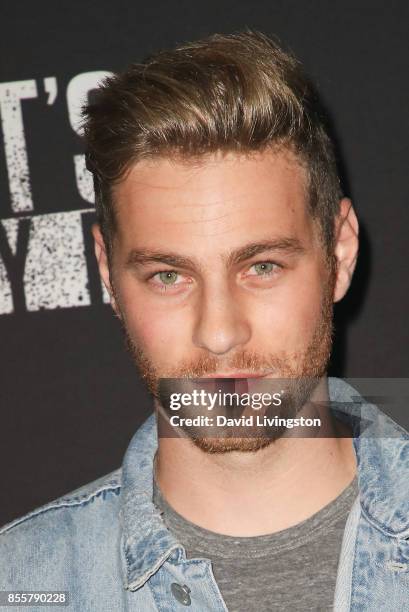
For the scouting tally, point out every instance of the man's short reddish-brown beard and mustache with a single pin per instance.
(297, 375)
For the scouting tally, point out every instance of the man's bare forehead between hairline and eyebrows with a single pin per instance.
(219, 199)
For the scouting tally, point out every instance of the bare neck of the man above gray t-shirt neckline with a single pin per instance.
(254, 493)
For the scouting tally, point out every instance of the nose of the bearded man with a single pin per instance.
(220, 324)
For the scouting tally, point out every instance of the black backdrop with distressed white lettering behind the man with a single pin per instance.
(70, 398)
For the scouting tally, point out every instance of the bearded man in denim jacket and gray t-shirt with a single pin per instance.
(224, 239)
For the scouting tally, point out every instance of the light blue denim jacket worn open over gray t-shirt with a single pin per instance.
(108, 547)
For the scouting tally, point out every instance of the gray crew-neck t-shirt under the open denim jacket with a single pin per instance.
(291, 570)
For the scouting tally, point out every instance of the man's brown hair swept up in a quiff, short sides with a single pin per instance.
(239, 92)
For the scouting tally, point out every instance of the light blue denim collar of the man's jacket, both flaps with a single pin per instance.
(382, 451)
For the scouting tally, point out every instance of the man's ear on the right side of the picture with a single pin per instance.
(346, 247)
